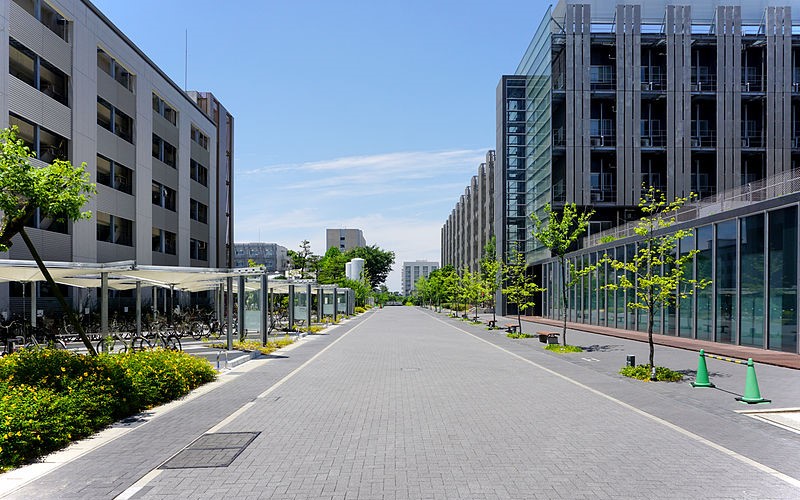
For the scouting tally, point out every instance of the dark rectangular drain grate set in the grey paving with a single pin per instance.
(211, 450)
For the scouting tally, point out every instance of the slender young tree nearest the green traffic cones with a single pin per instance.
(658, 273)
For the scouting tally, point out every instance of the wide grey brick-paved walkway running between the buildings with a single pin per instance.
(406, 403)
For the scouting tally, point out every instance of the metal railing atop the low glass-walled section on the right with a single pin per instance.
(765, 189)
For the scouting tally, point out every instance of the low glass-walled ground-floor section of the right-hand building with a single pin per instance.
(750, 255)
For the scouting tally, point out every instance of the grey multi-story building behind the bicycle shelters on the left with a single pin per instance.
(78, 89)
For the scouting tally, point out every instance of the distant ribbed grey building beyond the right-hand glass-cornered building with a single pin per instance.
(471, 223)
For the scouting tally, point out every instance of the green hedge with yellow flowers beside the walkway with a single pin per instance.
(49, 398)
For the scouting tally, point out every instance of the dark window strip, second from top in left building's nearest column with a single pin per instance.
(24, 64)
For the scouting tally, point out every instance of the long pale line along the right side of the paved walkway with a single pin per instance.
(763, 468)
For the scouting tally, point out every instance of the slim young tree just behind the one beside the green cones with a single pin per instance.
(559, 233)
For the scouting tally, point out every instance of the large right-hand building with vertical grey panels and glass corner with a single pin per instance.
(701, 98)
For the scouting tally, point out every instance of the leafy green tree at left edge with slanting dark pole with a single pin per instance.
(59, 191)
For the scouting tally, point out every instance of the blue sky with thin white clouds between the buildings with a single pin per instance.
(368, 114)
